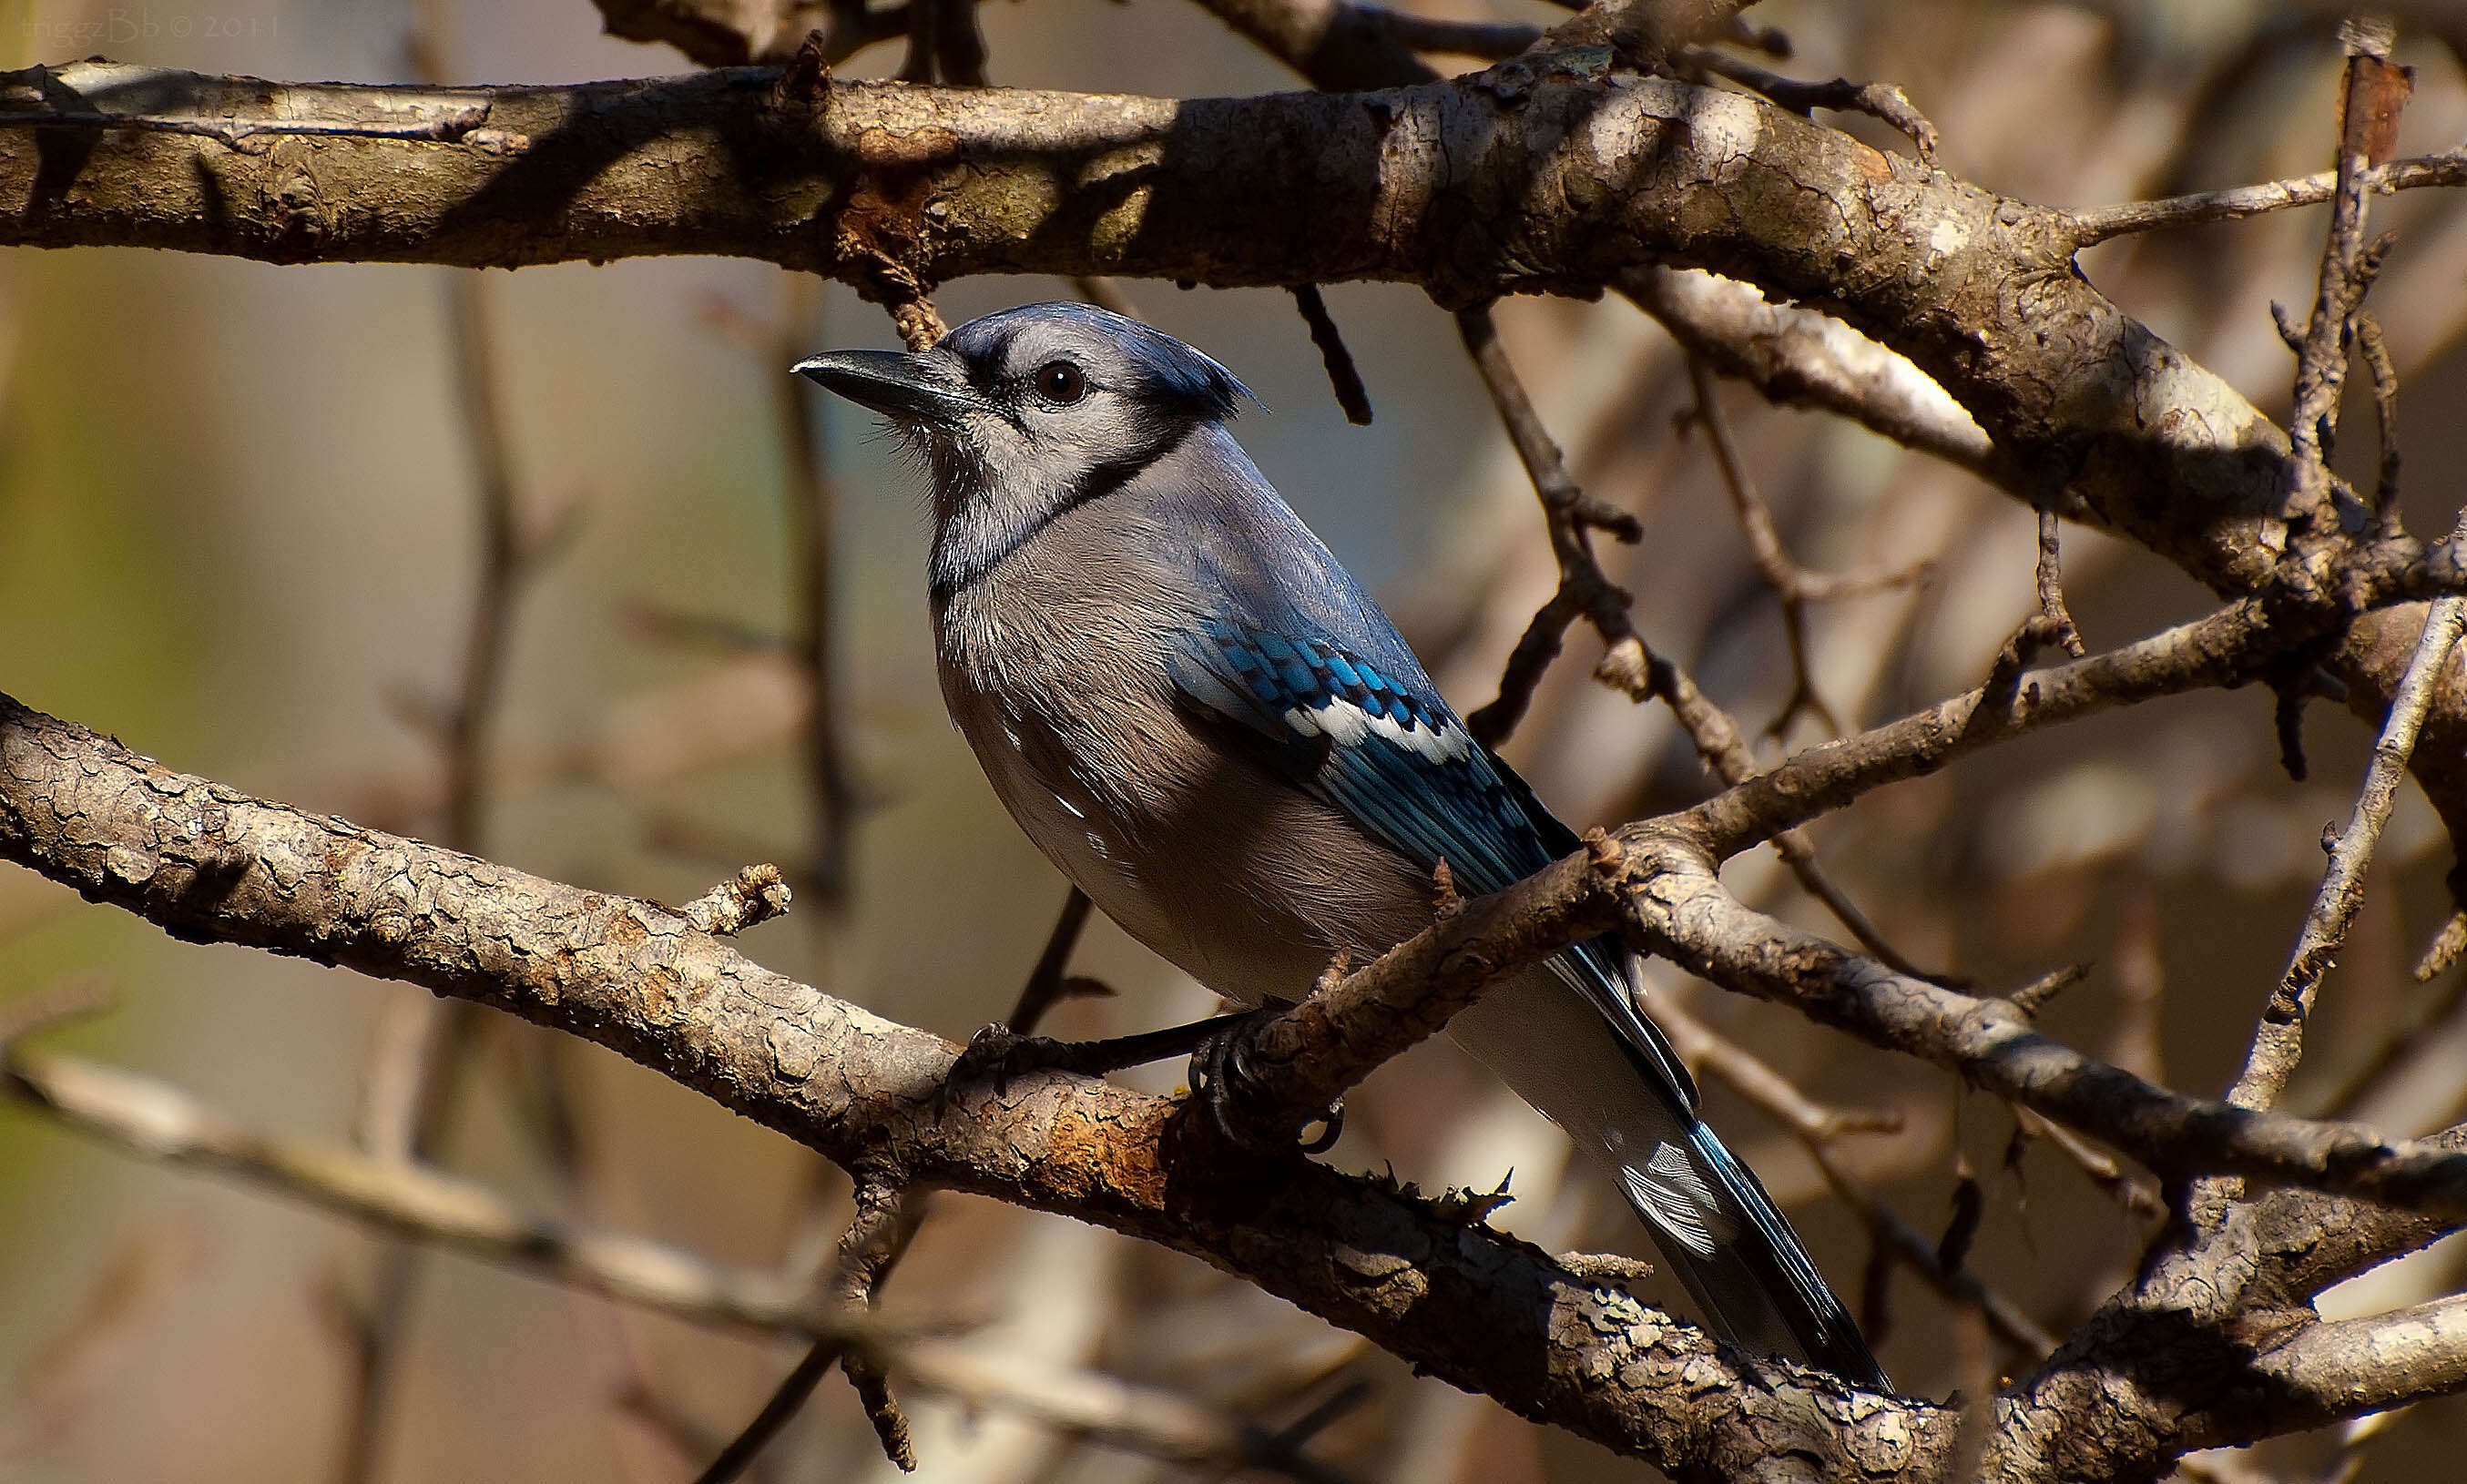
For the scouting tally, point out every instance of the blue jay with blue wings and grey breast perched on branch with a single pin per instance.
(1208, 726)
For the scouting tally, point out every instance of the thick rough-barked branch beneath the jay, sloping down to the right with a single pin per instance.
(1469, 1305)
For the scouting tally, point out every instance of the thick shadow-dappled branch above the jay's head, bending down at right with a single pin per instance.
(1541, 176)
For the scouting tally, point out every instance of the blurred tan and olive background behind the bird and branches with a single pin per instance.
(238, 529)
